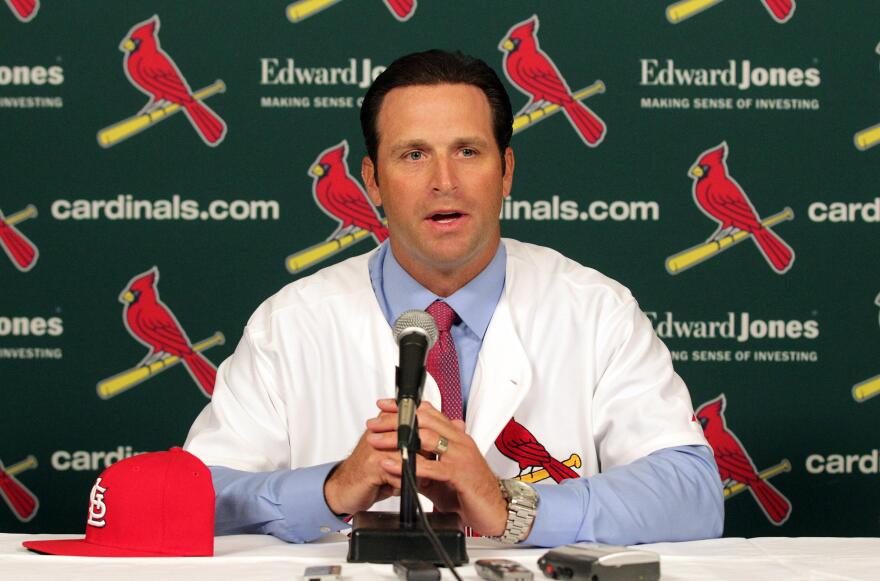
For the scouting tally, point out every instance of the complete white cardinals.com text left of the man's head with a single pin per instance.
(127, 207)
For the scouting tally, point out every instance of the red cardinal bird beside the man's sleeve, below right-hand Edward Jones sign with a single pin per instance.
(734, 463)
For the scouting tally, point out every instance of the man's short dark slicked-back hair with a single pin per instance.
(438, 67)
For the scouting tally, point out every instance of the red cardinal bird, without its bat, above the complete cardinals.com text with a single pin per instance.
(151, 70)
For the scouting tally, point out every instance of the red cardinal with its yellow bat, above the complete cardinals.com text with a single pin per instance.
(151, 71)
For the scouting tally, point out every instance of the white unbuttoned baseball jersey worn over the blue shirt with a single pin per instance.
(568, 354)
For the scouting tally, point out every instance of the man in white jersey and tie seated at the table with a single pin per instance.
(556, 365)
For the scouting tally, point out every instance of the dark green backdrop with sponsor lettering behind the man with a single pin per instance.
(219, 222)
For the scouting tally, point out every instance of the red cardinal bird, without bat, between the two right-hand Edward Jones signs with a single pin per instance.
(719, 196)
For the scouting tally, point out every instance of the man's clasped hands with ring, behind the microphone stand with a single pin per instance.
(458, 481)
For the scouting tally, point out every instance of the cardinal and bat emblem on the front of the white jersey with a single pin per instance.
(535, 462)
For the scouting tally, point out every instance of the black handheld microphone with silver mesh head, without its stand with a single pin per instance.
(415, 332)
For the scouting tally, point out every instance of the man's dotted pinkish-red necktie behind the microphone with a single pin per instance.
(442, 361)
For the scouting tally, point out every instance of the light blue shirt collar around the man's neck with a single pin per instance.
(474, 303)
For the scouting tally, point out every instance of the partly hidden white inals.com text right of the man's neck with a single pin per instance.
(570, 210)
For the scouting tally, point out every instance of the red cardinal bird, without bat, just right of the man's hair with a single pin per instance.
(532, 72)
